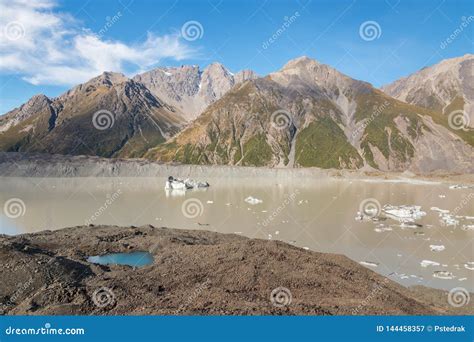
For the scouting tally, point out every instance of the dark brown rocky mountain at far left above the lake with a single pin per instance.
(109, 115)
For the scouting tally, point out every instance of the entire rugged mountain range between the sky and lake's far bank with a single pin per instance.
(306, 114)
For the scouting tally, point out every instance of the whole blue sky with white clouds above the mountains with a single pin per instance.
(47, 46)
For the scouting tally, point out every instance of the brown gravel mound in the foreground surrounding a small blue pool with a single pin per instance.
(194, 273)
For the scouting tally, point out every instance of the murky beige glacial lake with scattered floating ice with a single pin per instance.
(315, 214)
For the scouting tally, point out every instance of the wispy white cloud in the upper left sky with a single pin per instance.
(48, 47)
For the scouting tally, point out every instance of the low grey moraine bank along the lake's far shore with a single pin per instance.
(15, 164)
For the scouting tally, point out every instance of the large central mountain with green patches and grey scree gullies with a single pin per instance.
(309, 114)
